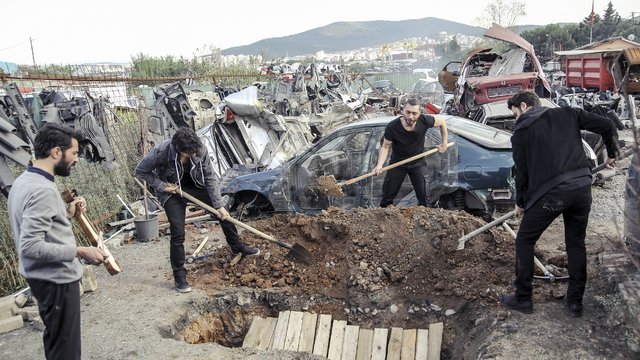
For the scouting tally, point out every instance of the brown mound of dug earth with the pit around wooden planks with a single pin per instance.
(373, 268)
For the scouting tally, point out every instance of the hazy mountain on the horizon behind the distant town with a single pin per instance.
(343, 36)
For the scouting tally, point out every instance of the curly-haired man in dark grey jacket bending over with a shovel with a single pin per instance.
(182, 164)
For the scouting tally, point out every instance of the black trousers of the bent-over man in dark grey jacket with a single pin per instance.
(175, 208)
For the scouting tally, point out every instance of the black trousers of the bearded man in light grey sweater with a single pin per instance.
(59, 307)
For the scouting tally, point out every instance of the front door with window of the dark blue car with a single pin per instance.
(344, 156)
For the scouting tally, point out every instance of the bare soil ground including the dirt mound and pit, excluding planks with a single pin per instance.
(372, 267)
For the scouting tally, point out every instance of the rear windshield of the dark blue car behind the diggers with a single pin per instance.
(480, 134)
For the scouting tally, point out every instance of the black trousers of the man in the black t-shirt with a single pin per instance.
(394, 178)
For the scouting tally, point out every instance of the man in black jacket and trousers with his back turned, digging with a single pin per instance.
(552, 178)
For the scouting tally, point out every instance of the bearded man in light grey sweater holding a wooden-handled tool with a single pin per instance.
(45, 242)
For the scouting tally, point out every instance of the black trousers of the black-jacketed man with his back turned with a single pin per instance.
(574, 205)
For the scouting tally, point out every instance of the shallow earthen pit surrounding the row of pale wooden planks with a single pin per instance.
(225, 319)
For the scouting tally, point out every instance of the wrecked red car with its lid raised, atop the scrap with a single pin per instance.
(486, 76)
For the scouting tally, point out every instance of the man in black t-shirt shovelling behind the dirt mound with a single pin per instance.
(405, 137)
